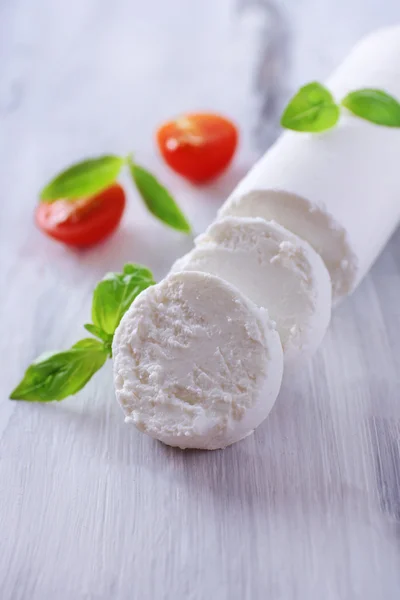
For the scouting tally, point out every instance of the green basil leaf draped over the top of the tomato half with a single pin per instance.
(83, 179)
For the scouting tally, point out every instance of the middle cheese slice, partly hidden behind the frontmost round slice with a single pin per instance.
(276, 270)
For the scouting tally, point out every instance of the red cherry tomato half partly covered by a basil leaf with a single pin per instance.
(85, 221)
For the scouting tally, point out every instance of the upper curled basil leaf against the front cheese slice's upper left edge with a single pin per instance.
(115, 293)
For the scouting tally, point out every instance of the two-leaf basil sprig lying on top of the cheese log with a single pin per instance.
(313, 109)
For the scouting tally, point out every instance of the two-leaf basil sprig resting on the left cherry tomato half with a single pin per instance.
(91, 176)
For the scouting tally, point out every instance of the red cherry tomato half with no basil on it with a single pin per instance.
(198, 146)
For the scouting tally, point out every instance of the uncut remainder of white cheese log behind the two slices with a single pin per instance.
(338, 190)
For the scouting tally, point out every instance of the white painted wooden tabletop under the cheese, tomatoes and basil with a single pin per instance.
(306, 509)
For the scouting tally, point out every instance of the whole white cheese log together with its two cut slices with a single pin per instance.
(199, 357)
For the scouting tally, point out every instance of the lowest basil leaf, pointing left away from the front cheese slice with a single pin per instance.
(54, 376)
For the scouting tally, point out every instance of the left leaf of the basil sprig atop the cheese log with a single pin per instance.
(312, 109)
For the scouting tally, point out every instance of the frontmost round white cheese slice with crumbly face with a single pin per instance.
(196, 364)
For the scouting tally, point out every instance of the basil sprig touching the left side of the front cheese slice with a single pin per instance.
(56, 375)
